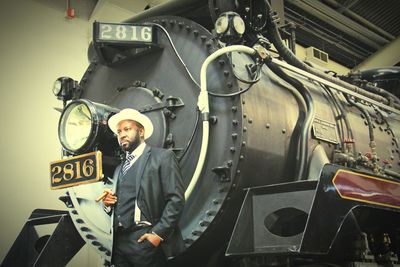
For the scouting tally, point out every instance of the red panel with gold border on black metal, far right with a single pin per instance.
(364, 188)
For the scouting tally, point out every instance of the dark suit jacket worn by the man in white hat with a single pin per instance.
(160, 195)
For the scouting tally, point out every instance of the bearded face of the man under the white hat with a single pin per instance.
(130, 136)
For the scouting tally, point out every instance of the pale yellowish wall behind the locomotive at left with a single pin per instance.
(38, 45)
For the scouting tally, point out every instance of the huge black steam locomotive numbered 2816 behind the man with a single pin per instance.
(284, 165)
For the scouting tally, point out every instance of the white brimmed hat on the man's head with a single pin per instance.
(131, 114)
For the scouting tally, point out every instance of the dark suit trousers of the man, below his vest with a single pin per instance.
(128, 252)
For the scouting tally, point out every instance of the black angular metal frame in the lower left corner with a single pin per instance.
(57, 249)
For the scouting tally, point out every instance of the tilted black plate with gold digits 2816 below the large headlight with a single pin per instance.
(82, 169)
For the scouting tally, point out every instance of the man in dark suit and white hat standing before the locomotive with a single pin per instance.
(149, 196)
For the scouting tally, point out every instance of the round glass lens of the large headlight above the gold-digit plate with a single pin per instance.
(75, 126)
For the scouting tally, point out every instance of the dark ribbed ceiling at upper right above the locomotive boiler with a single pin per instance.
(350, 31)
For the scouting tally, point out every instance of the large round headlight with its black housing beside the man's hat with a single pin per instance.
(83, 125)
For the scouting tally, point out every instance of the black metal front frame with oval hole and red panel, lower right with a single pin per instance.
(313, 217)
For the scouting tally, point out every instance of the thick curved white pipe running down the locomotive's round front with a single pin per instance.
(204, 108)
